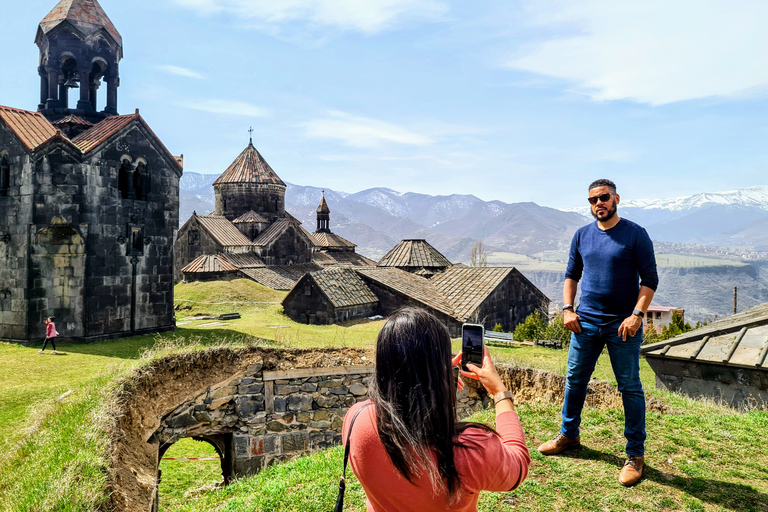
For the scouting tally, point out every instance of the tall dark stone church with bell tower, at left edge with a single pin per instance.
(89, 199)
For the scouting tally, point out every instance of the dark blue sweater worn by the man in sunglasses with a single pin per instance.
(615, 263)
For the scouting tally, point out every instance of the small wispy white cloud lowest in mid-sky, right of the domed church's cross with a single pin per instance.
(362, 132)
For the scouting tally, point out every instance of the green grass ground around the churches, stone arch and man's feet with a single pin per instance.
(52, 424)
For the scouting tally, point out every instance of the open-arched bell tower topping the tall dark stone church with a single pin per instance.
(79, 49)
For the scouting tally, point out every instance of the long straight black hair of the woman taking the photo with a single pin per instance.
(415, 396)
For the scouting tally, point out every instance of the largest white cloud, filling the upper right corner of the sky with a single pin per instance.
(654, 51)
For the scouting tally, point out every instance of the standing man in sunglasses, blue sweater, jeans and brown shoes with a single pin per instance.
(615, 257)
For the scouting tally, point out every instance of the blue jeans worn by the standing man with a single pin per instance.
(625, 360)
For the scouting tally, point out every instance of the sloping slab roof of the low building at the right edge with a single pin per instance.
(740, 340)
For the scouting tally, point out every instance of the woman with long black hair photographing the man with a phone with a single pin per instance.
(407, 448)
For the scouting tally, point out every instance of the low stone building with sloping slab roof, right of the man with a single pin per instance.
(724, 360)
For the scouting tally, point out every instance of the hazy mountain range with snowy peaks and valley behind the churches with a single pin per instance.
(536, 239)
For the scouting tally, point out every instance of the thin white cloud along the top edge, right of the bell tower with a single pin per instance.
(367, 16)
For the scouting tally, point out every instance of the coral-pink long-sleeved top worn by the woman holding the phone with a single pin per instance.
(485, 462)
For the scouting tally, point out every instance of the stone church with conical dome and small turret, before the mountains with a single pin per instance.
(251, 235)
